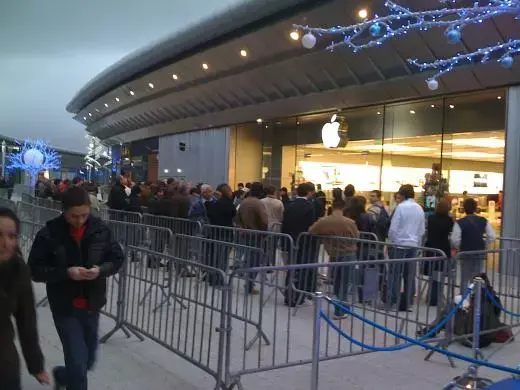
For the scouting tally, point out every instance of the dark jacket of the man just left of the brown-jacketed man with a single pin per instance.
(298, 217)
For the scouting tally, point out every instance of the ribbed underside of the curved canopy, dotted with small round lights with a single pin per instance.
(278, 78)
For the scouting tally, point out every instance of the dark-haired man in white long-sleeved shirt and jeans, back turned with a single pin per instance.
(407, 228)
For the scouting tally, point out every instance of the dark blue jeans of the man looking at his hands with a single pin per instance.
(78, 332)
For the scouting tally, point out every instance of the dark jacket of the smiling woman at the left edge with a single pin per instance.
(17, 301)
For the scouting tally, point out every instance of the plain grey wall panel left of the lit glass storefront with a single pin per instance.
(205, 158)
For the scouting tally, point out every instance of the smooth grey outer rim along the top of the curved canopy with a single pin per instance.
(244, 18)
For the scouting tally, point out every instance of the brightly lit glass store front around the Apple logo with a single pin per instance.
(448, 146)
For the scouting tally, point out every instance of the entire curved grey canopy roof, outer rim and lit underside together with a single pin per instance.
(201, 80)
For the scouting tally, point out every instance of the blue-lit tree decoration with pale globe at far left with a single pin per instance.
(33, 156)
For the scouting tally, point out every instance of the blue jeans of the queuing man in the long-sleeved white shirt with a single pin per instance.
(402, 271)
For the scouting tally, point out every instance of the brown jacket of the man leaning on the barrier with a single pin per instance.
(338, 226)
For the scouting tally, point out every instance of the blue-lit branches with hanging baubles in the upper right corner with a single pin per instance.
(400, 21)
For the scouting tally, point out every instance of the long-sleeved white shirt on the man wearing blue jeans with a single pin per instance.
(407, 226)
